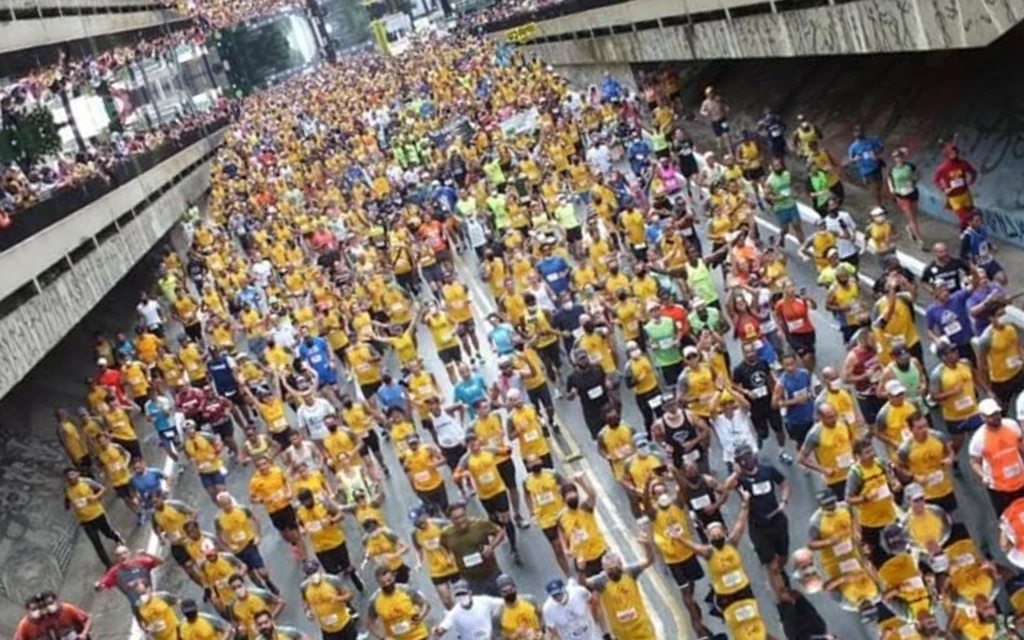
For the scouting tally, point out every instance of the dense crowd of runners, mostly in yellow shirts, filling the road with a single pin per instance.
(289, 347)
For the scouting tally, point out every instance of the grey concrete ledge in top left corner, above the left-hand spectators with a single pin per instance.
(23, 34)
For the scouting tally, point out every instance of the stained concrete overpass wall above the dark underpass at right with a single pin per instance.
(863, 27)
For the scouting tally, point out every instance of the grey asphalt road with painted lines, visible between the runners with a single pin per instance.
(619, 526)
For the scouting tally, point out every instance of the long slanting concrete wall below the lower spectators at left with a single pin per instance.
(30, 331)
